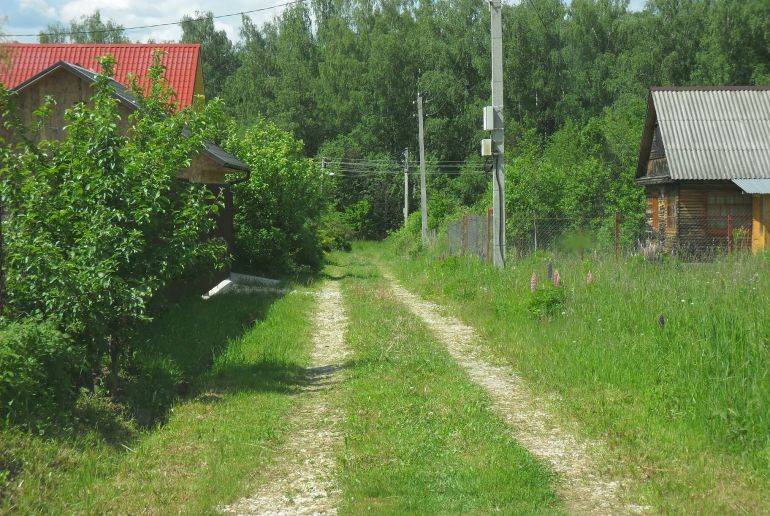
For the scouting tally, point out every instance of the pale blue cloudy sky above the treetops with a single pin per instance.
(32, 16)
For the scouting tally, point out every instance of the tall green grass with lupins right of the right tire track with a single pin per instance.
(686, 407)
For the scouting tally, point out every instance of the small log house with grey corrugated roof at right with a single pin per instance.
(704, 162)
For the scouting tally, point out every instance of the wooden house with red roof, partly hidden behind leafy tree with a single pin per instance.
(31, 75)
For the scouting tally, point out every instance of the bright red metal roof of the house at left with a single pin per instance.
(180, 60)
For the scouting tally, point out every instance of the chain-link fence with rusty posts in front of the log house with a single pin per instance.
(617, 234)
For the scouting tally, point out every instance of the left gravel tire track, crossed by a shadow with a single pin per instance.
(301, 481)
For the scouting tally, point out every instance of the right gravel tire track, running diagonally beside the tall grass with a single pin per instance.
(584, 489)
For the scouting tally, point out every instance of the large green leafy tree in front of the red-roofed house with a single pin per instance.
(97, 224)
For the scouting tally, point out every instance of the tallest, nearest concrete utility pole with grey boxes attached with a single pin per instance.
(498, 187)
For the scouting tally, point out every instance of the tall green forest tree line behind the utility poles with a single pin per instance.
(343, 76)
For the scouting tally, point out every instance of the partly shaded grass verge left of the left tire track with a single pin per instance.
(212, 447)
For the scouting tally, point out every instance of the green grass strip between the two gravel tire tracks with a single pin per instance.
(420, 437)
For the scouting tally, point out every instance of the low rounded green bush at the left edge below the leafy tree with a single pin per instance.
(39, 368)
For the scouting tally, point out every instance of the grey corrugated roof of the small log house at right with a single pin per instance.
(715, 133)
